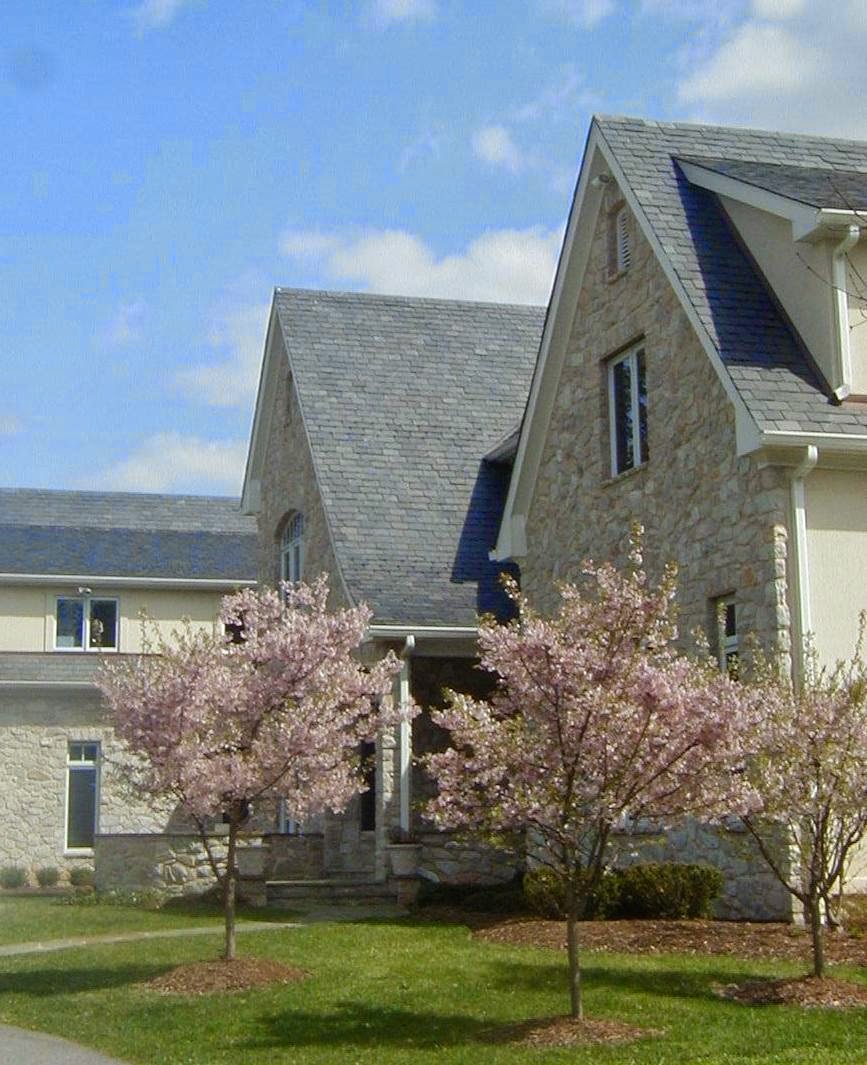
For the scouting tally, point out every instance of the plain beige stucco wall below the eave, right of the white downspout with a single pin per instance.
(837, 518)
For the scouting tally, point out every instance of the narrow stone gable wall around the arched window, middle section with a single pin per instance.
(289, 485)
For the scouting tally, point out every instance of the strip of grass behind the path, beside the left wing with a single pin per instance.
(24, 920)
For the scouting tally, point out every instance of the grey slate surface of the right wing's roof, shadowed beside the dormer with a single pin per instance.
(763, 356)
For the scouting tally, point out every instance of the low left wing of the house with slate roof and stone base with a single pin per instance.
(76, 570)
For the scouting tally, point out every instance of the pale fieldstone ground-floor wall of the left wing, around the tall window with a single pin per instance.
(36, 730)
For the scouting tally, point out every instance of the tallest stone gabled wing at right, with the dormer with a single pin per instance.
(704, 370)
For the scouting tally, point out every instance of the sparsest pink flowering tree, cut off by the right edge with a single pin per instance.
(806, 758)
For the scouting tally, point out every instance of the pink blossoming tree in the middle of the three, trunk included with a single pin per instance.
(597, 723)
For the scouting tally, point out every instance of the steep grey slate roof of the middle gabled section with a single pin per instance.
(402, 400)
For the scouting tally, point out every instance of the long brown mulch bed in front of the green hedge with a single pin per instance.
(734, 939)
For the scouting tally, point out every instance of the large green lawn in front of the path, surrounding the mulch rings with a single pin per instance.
(407, 992)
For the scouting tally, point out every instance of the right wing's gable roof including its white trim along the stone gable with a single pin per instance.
(777, 395)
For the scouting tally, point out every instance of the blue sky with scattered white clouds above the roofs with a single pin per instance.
(169, 162)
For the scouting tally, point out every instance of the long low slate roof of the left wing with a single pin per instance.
(126, 535)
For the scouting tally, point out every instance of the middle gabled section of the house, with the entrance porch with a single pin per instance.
(378, 457)
